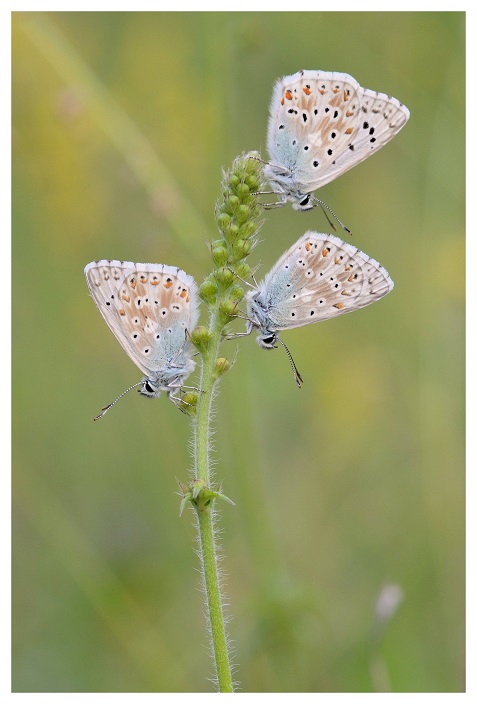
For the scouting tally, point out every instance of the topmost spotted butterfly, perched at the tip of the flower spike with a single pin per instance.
(321, 124)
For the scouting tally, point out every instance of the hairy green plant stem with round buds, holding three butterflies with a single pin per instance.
(236, 216)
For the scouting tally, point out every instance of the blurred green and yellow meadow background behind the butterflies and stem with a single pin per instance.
(122, 123)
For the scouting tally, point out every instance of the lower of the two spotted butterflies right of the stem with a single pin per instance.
(318, 278)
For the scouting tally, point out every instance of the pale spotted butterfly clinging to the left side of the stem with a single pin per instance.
(150, 308)
